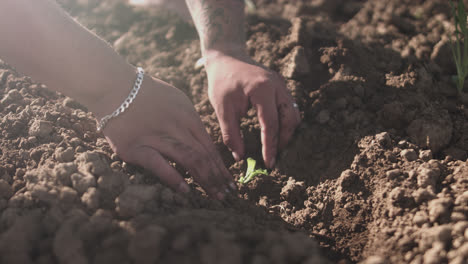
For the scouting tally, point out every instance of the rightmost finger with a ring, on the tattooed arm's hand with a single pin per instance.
(289, 118)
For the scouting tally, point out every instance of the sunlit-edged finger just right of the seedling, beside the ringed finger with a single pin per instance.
(268, 119)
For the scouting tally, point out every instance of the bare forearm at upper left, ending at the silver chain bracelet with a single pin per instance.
(42, 41)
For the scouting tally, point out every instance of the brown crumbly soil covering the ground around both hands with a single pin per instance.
(376, 173)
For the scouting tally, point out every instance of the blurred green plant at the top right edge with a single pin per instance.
(460, 54)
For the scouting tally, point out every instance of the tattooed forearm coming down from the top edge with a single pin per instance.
(220, 23)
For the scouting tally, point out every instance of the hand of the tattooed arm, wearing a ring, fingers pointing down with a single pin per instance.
(233, 82)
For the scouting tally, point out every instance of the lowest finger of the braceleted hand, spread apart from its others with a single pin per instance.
(152, 160)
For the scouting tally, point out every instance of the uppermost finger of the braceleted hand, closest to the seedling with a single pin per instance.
(206, 142)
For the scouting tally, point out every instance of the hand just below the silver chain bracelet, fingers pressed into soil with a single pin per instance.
(162, 123)
